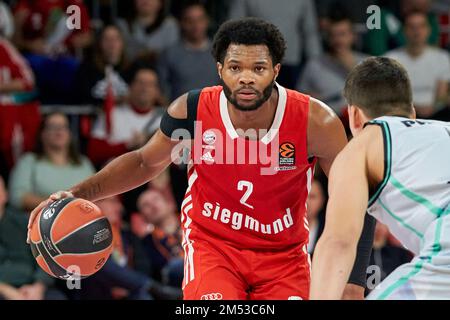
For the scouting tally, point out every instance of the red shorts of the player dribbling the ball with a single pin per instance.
(215, 271)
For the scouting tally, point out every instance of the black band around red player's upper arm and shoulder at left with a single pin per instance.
(169, 124)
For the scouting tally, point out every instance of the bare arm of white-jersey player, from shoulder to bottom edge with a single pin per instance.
(351, 174)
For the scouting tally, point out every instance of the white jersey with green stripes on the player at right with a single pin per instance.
(413, 200)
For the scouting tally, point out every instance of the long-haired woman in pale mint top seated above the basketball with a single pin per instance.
(54, 165)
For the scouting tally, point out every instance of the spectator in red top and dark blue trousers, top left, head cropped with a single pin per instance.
(51, 48)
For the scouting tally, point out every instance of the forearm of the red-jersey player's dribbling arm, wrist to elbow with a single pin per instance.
(120, 175)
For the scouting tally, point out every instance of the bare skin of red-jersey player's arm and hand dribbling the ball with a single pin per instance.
(127, 171)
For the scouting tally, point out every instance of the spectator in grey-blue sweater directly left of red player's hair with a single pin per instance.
(189, 64)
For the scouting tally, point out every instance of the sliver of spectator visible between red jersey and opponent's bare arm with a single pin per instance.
(315, 213)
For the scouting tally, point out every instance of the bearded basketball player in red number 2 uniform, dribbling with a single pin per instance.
(244, 214)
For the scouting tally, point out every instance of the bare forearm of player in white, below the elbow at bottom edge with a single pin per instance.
(332, 264)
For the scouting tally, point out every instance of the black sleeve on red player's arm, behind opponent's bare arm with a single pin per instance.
(358, 275)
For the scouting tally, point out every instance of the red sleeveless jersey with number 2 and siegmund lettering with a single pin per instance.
(249, 193)
